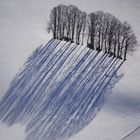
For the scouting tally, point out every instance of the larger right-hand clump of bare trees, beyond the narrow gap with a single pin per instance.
(106, 32)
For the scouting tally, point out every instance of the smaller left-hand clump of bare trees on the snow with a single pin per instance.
(68, 22)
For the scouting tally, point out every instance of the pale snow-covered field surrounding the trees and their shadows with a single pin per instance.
(22, 30)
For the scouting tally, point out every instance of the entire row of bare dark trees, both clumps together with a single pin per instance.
(101, 31)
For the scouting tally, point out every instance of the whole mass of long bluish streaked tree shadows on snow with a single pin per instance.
(60, 89)
